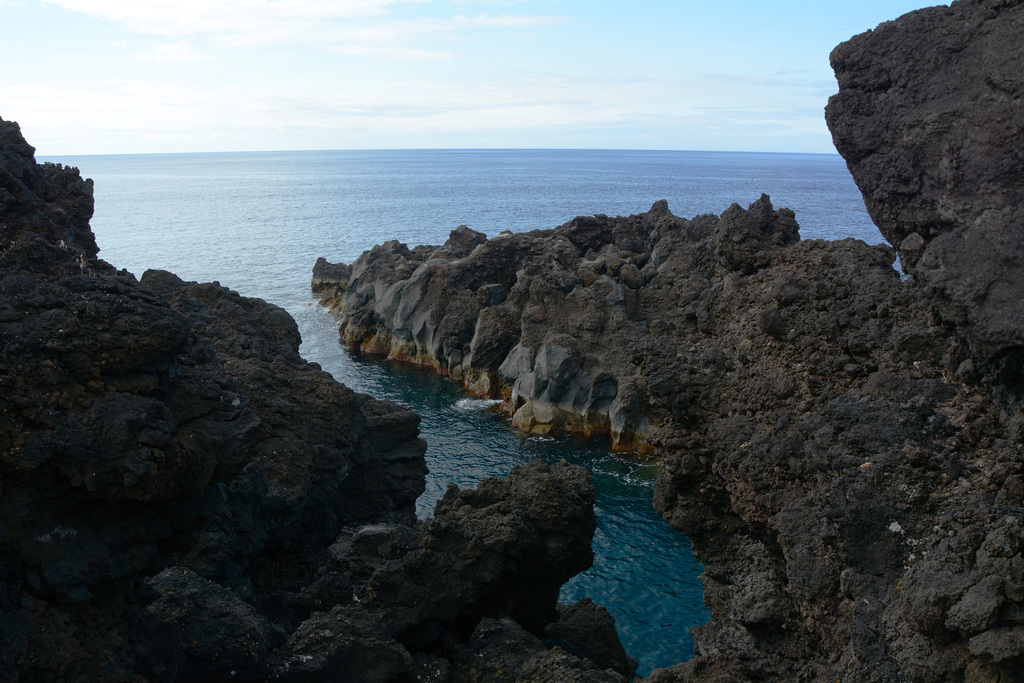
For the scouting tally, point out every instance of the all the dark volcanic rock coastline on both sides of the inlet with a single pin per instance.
(183, 497)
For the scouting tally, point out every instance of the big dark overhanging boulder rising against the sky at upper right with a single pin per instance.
(929, 117)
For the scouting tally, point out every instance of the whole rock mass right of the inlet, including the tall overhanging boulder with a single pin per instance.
(843, 446)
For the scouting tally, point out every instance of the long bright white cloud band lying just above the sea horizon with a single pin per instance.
(156, 116)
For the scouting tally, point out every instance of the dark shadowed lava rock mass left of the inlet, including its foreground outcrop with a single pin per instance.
(184, 498)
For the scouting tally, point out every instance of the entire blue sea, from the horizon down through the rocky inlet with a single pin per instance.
(258, 222)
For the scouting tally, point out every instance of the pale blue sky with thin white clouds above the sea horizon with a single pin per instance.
(163, 76)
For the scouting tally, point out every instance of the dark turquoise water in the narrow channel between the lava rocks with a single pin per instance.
(645, 573)
